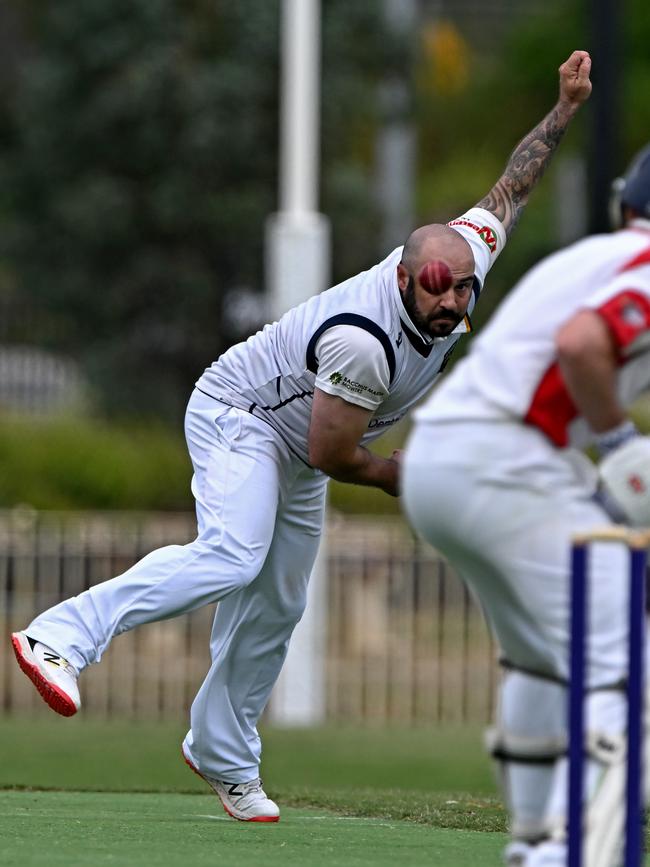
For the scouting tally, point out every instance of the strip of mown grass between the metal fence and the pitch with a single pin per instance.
(49, 751)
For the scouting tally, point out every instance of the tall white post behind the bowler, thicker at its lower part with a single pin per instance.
(297, 266)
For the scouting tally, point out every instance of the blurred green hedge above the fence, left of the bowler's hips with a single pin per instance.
(59, 464)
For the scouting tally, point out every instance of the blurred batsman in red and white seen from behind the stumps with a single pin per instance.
(564, 356)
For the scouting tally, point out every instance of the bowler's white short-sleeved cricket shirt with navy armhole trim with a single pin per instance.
(355, 341)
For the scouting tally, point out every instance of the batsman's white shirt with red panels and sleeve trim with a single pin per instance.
(512, 371)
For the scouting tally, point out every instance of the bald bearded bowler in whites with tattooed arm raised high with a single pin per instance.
(266, 426)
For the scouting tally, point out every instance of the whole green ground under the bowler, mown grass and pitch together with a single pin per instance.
(82, 792)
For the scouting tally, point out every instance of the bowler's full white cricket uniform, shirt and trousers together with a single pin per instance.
(259, 503)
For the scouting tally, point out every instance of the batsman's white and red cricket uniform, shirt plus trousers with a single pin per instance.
(505, 428)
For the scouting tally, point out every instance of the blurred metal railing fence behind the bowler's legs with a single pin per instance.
(405, 642)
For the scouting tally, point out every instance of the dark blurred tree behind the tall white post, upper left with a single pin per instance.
(138, 163)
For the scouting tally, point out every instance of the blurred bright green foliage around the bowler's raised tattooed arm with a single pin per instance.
(466, 133)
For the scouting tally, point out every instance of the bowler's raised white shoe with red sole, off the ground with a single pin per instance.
(53, 676)
